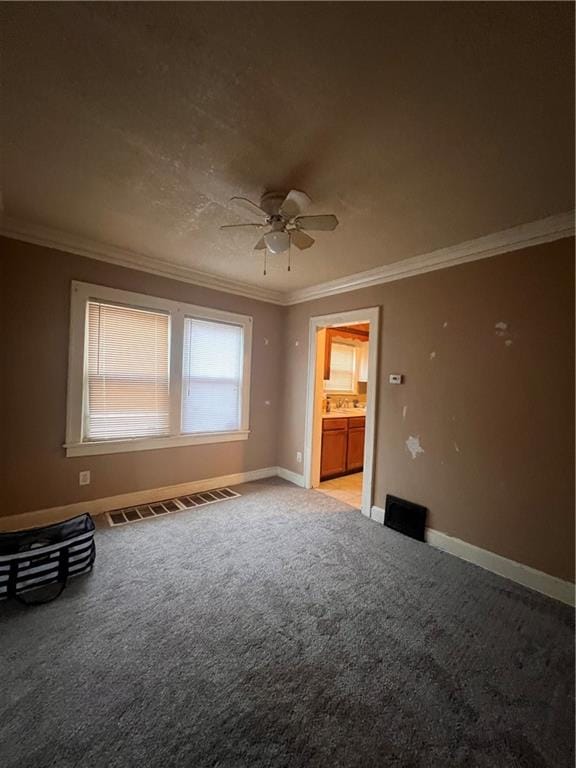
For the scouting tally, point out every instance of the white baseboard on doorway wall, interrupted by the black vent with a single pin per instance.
(564, 591)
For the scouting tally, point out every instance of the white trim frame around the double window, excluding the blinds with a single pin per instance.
(80, 294)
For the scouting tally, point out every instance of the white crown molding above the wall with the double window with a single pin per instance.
(62, 241)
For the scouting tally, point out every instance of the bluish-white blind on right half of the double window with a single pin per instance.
(211, 376)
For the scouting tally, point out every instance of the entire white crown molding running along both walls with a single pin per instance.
(522, 236)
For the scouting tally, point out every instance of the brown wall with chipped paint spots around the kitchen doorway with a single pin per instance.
(508, 486)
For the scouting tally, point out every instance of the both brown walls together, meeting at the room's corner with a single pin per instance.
(509, 408)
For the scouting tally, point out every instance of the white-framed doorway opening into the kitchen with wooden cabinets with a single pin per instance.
(341, 406)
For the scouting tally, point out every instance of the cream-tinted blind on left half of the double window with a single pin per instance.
(127, 373)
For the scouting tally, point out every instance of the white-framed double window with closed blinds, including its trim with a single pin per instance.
(149, 373)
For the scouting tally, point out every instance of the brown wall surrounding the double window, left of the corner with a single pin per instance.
(34, 321)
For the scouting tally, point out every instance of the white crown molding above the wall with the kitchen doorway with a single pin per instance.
(522, 236)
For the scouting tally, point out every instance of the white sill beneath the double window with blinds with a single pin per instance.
(152, 443)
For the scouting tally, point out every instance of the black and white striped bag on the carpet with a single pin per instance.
(35, 559)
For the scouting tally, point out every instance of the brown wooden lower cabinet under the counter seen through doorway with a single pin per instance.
(342, 446)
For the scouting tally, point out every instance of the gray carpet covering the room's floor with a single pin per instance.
(284, 629)
